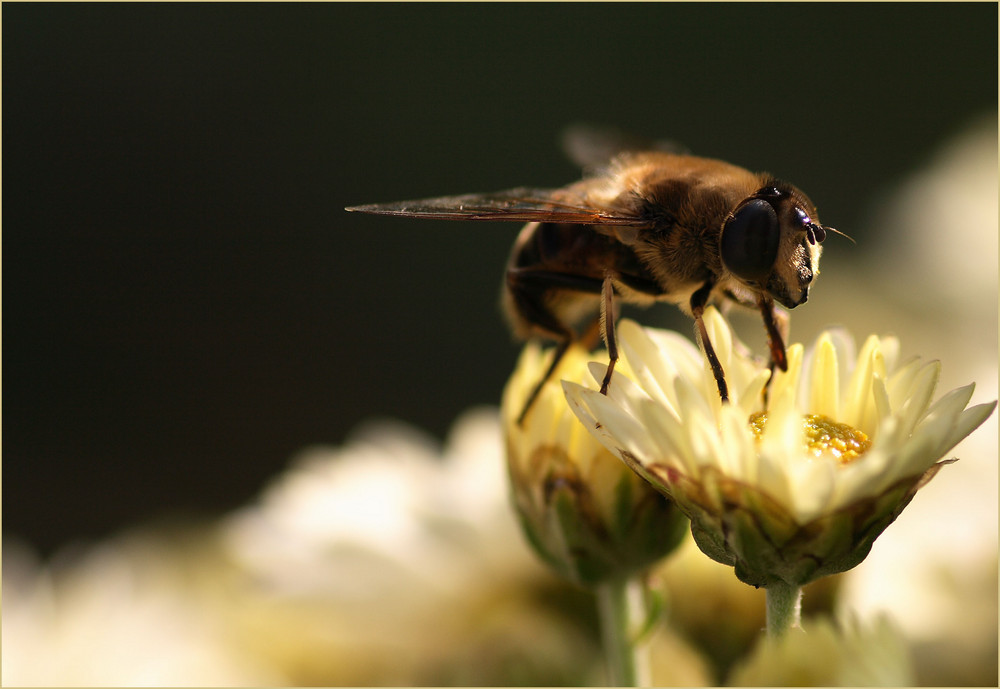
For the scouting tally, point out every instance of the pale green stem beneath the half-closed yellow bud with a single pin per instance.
(621, 608)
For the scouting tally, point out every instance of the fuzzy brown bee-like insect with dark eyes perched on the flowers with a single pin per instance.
(649, 226)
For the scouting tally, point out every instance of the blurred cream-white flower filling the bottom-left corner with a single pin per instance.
(139, 610)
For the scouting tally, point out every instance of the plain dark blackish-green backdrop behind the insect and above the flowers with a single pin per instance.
(185, 302)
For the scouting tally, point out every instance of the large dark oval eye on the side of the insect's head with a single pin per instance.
(750, 240)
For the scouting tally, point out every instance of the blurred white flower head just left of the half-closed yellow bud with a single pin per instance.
(389, 498)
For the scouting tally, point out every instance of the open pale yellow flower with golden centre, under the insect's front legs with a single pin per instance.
(846, 443)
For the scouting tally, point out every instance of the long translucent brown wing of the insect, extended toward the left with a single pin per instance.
(523, 204)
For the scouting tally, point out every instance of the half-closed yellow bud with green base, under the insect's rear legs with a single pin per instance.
(583, 511)
